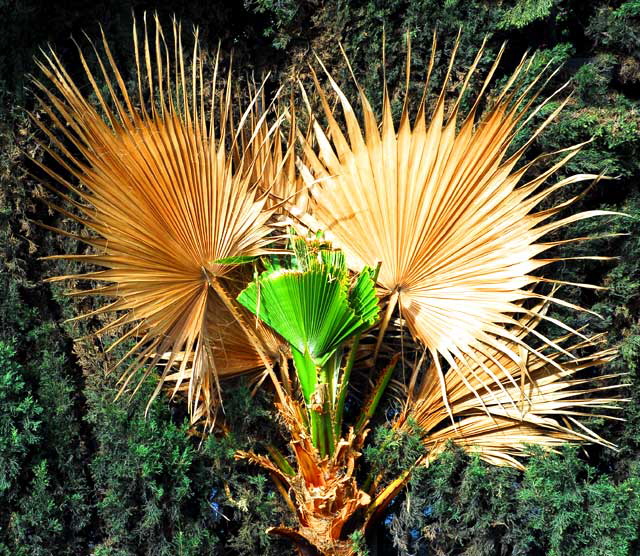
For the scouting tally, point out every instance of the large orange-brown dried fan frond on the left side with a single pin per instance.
(171, 203)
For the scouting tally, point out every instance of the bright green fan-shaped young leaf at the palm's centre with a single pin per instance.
(313, 306)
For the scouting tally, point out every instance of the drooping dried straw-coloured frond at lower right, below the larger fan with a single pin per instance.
(501, 407)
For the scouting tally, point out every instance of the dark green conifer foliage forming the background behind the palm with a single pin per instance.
(80, 474)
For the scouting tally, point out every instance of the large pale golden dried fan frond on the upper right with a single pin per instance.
(441, 205)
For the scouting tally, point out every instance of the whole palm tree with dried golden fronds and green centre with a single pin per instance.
(421, 223)
